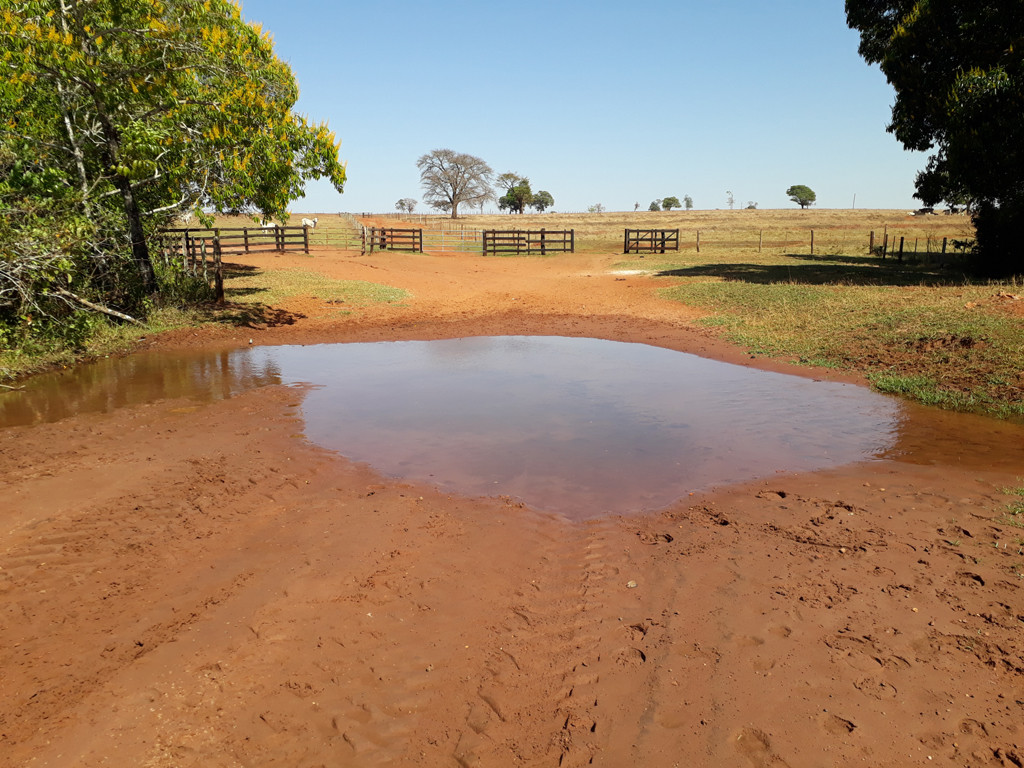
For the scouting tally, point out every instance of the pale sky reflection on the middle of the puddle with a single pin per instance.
(580, 426)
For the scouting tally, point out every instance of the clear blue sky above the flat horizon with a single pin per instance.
(611, 103)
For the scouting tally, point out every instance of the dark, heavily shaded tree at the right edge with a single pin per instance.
(958, 70)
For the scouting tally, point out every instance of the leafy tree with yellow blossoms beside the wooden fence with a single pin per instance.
(118, 116)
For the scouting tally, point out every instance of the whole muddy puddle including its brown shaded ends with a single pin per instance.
(583, 428)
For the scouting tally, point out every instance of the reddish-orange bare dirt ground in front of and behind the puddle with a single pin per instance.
(188, 585)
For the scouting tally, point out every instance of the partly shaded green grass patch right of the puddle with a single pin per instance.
(934, 338)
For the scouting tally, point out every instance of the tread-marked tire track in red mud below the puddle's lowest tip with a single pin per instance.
(539, 698)
